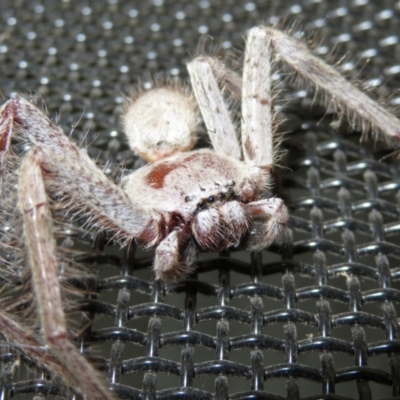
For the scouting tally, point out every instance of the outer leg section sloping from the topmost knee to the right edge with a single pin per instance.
(323, 76)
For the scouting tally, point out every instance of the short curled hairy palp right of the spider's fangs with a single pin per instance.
(269, 221)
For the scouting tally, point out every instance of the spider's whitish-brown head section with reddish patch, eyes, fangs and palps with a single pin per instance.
(203, 200)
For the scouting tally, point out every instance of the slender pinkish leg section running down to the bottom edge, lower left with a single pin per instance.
(41, 248)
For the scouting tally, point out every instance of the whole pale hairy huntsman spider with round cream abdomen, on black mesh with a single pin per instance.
(182, 201)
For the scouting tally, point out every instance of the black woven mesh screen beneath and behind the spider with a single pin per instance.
(317, 319)
